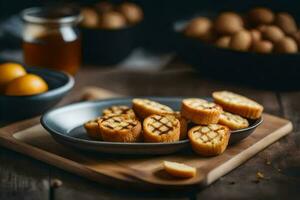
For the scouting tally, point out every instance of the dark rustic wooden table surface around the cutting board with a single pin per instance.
(24, 178)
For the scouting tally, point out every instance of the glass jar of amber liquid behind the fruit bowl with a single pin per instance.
(51, 38)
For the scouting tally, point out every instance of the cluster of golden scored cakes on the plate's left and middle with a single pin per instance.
(147, 121)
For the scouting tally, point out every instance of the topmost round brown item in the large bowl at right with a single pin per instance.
(258, 16)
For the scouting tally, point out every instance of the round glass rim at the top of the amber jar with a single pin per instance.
(51, 15)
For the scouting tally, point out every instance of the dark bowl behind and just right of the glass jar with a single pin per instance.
(109, 47)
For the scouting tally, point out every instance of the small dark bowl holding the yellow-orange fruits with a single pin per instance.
(13, 108)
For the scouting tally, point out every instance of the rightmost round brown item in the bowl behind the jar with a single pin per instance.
(132, 12)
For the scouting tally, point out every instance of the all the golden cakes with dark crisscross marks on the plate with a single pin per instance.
(150, 121)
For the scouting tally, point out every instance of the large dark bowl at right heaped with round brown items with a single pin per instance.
(275, 71)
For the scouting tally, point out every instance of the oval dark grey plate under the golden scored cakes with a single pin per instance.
(65, 125)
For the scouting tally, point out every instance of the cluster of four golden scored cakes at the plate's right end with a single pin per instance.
(215, 120)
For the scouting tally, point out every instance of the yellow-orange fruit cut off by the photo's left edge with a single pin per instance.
(9, 72)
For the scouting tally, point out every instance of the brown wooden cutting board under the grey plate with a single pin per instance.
(29, 138)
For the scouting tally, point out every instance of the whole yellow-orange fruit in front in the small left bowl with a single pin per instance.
(29, 84)
